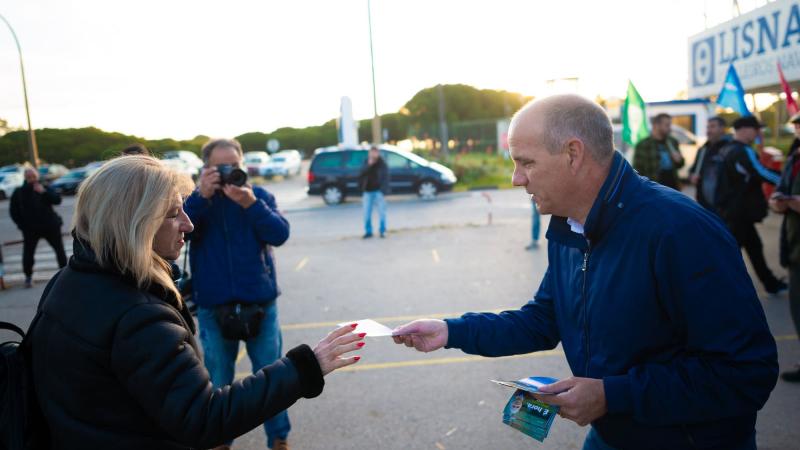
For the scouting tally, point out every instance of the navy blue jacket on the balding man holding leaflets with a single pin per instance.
(655, 300)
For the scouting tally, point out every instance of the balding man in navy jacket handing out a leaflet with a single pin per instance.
(646, 292)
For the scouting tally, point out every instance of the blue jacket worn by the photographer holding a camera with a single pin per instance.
(229, 257)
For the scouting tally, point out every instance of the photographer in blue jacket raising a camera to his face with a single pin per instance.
(233, 273)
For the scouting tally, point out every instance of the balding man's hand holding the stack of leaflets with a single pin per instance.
(582, 400)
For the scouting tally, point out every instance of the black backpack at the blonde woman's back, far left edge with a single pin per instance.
(22, 426)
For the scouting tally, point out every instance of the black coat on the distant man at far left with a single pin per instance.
(32, 211)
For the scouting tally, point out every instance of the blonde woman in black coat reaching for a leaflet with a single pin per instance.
(114, 358)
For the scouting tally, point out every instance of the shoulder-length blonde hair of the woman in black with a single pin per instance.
(120, 208)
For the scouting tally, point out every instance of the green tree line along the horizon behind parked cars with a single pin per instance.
(418, 117)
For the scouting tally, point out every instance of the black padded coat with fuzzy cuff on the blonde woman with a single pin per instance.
(118, 367)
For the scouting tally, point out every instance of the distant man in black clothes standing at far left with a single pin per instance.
(32, 211)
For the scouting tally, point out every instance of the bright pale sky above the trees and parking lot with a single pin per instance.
(176, 68)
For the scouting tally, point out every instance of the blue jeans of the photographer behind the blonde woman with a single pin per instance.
(220, 358)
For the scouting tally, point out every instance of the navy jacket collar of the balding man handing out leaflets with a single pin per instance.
(606, 208)
